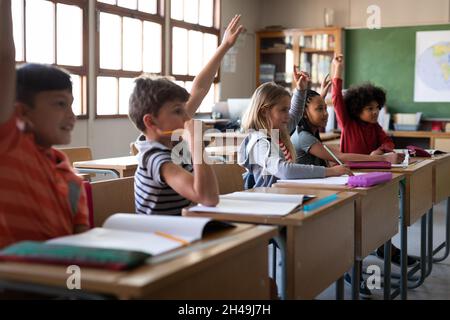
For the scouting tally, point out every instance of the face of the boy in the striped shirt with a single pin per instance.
(171, 116)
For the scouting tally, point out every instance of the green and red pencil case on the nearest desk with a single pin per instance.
(41, 252)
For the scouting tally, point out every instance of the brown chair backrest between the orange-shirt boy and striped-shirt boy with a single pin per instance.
(112, 196)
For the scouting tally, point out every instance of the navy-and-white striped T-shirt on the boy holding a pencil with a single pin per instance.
(152, 194)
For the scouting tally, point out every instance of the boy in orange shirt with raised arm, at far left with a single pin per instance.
(40, 195)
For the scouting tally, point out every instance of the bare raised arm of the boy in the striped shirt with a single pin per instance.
(202, 82)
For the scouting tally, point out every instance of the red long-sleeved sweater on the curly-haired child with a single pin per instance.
(357, 136)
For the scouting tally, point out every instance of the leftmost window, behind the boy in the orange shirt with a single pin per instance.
(52, 32)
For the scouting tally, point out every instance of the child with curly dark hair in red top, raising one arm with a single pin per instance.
(357, 116)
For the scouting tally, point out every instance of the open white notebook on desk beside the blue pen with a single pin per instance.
(254, 203)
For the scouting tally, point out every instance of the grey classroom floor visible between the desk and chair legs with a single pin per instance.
(436, 286)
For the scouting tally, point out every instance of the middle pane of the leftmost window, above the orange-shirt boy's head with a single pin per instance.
(40, 27)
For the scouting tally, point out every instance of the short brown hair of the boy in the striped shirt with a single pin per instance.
(150, 94)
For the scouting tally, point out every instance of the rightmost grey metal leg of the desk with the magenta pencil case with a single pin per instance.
(403, 245)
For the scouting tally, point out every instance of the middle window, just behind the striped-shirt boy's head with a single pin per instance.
(130, 42)
